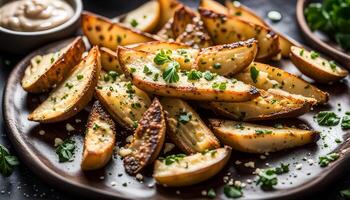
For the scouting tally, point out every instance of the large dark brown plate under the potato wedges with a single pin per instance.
(38, 153)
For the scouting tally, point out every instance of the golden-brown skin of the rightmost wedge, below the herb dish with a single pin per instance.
(314, 70)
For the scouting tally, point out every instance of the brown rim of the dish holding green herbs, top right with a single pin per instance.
(318, 40)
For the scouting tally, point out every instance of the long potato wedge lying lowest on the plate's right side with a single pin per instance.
(252, 138)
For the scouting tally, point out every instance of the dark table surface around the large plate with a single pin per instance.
(23, 184)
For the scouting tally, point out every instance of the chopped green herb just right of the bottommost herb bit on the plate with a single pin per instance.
(267, 178)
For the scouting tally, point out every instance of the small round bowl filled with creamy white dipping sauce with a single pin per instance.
(29, 24)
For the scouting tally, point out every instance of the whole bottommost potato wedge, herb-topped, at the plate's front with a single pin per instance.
(181, 170)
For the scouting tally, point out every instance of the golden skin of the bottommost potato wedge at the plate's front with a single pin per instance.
(191, 177)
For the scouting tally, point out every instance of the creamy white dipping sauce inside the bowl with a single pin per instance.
(34, 15)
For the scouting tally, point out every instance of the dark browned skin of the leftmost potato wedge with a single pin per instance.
(58, 70)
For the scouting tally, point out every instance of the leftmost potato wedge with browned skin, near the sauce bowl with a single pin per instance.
(48, 70)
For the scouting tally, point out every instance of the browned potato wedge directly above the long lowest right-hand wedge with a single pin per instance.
(265, 107)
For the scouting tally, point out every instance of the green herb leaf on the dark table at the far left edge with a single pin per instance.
(7, 161)
